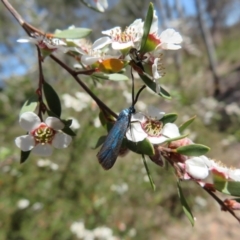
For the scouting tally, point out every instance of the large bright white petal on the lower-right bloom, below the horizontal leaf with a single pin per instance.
(197, 168)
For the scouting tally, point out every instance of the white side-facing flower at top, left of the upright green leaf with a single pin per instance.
(121, 40)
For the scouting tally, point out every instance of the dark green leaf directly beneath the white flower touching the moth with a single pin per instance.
(142, 147)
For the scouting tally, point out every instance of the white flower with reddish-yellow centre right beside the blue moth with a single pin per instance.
(149, 126)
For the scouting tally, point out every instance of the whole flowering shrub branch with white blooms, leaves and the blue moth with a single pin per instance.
(153, 134)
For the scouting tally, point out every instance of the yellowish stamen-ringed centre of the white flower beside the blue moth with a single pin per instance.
(152, 127)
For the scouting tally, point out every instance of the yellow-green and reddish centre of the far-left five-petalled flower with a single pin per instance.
(43, 134)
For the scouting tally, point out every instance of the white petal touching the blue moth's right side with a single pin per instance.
(135, 133)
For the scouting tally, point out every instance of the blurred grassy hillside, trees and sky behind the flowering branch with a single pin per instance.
(69, 196)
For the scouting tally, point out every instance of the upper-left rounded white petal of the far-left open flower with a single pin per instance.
(29, 121)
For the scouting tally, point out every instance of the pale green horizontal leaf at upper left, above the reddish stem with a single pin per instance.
(73, 33)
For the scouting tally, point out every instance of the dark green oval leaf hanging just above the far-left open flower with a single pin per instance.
(52, 99)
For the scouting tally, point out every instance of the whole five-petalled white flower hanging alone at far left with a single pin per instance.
(41, 136)
